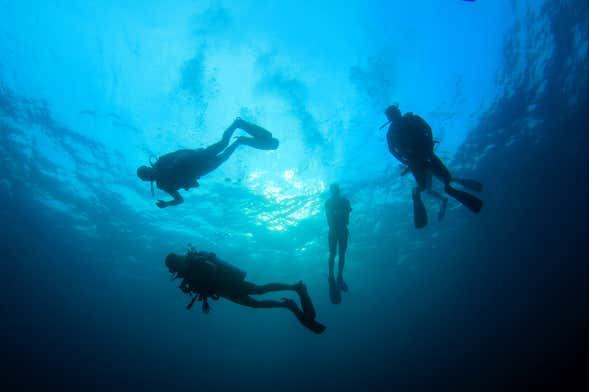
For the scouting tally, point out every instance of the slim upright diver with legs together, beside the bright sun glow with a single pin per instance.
(337, 212)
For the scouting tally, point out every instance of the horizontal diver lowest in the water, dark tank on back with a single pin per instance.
(205, 276)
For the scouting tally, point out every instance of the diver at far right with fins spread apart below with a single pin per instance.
(410, 140)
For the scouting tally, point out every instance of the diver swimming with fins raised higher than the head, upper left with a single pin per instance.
(181, 169)
